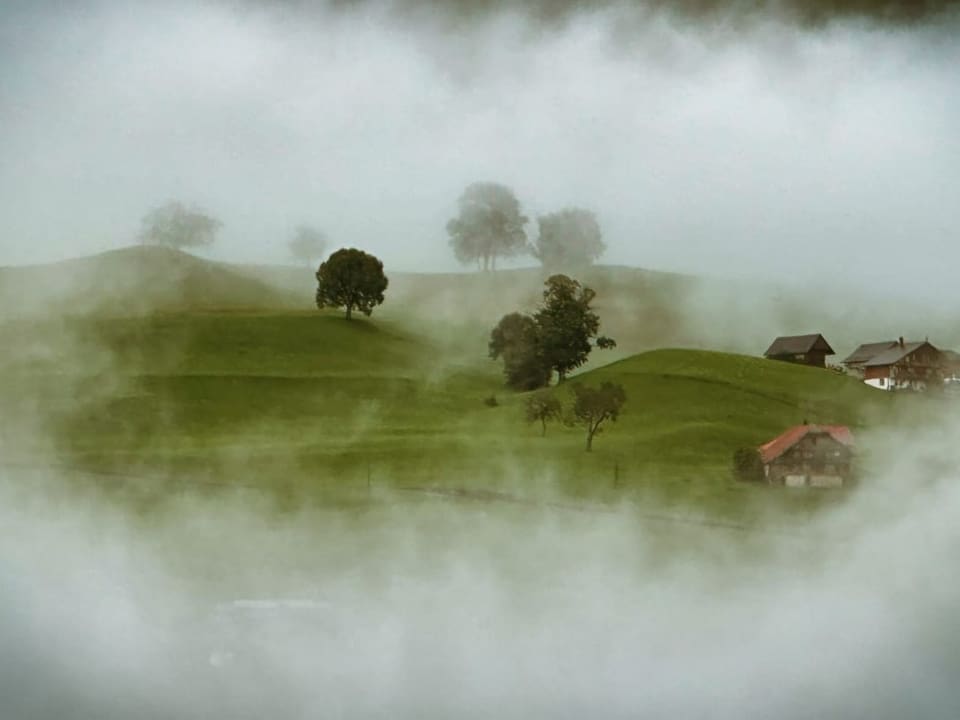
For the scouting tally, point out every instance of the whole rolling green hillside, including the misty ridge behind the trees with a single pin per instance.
(157, 364)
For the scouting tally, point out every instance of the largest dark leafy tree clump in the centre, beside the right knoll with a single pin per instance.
(557, 338)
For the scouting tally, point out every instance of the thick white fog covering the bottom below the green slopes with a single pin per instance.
(441, 609)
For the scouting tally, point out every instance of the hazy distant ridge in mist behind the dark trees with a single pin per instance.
(641, 309)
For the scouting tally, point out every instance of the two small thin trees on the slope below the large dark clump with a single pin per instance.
(591, 408)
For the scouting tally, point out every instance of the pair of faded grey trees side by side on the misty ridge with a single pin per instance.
(490, 225)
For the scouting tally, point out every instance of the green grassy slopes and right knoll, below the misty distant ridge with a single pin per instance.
(308, 405)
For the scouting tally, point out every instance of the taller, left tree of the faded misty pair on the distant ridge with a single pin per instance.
(489, 224)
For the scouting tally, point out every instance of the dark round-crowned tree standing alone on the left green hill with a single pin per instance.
(351, 278)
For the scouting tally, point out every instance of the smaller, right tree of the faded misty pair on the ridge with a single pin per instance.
(569, 238)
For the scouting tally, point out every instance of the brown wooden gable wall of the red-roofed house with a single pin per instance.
(817, 460)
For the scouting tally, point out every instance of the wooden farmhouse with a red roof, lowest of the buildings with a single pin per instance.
(809, 456)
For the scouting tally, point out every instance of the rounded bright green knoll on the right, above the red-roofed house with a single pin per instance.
(691, 408)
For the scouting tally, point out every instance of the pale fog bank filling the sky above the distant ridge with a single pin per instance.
(817, 142)
